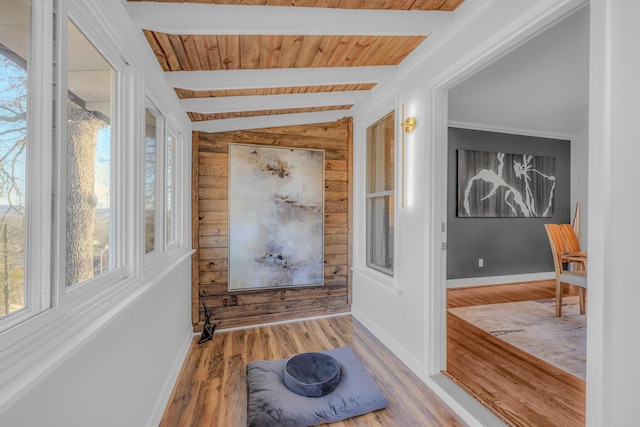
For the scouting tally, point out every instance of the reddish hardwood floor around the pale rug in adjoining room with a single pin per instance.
(518, 387)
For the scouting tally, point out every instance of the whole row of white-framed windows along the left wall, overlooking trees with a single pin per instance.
(71, 166)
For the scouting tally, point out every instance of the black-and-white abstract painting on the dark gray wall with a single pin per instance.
(494, 184)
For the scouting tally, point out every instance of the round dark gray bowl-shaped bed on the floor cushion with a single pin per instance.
(312, 374)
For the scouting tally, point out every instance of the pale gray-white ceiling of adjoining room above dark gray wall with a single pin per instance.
(542, 86)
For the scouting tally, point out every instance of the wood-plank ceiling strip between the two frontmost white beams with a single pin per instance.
(242, 52)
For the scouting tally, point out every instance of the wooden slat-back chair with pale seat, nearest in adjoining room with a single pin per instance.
(577, 278)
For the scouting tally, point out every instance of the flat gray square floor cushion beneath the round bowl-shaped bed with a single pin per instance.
(271, 403)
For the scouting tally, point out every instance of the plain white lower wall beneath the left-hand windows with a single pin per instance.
(123, 374)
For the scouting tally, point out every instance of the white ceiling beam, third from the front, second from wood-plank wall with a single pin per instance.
(224, 104)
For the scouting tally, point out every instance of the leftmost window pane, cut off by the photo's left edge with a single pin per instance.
(14, 48)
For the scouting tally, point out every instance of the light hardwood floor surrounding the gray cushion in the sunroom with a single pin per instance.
(211, 388)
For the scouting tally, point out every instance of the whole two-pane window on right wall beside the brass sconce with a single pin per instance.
(380, 194)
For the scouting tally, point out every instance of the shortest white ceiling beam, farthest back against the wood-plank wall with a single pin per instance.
(258, 122)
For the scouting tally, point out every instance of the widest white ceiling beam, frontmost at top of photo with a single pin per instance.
(194, 18)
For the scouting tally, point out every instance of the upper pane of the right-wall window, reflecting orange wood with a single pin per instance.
(380, 157)
